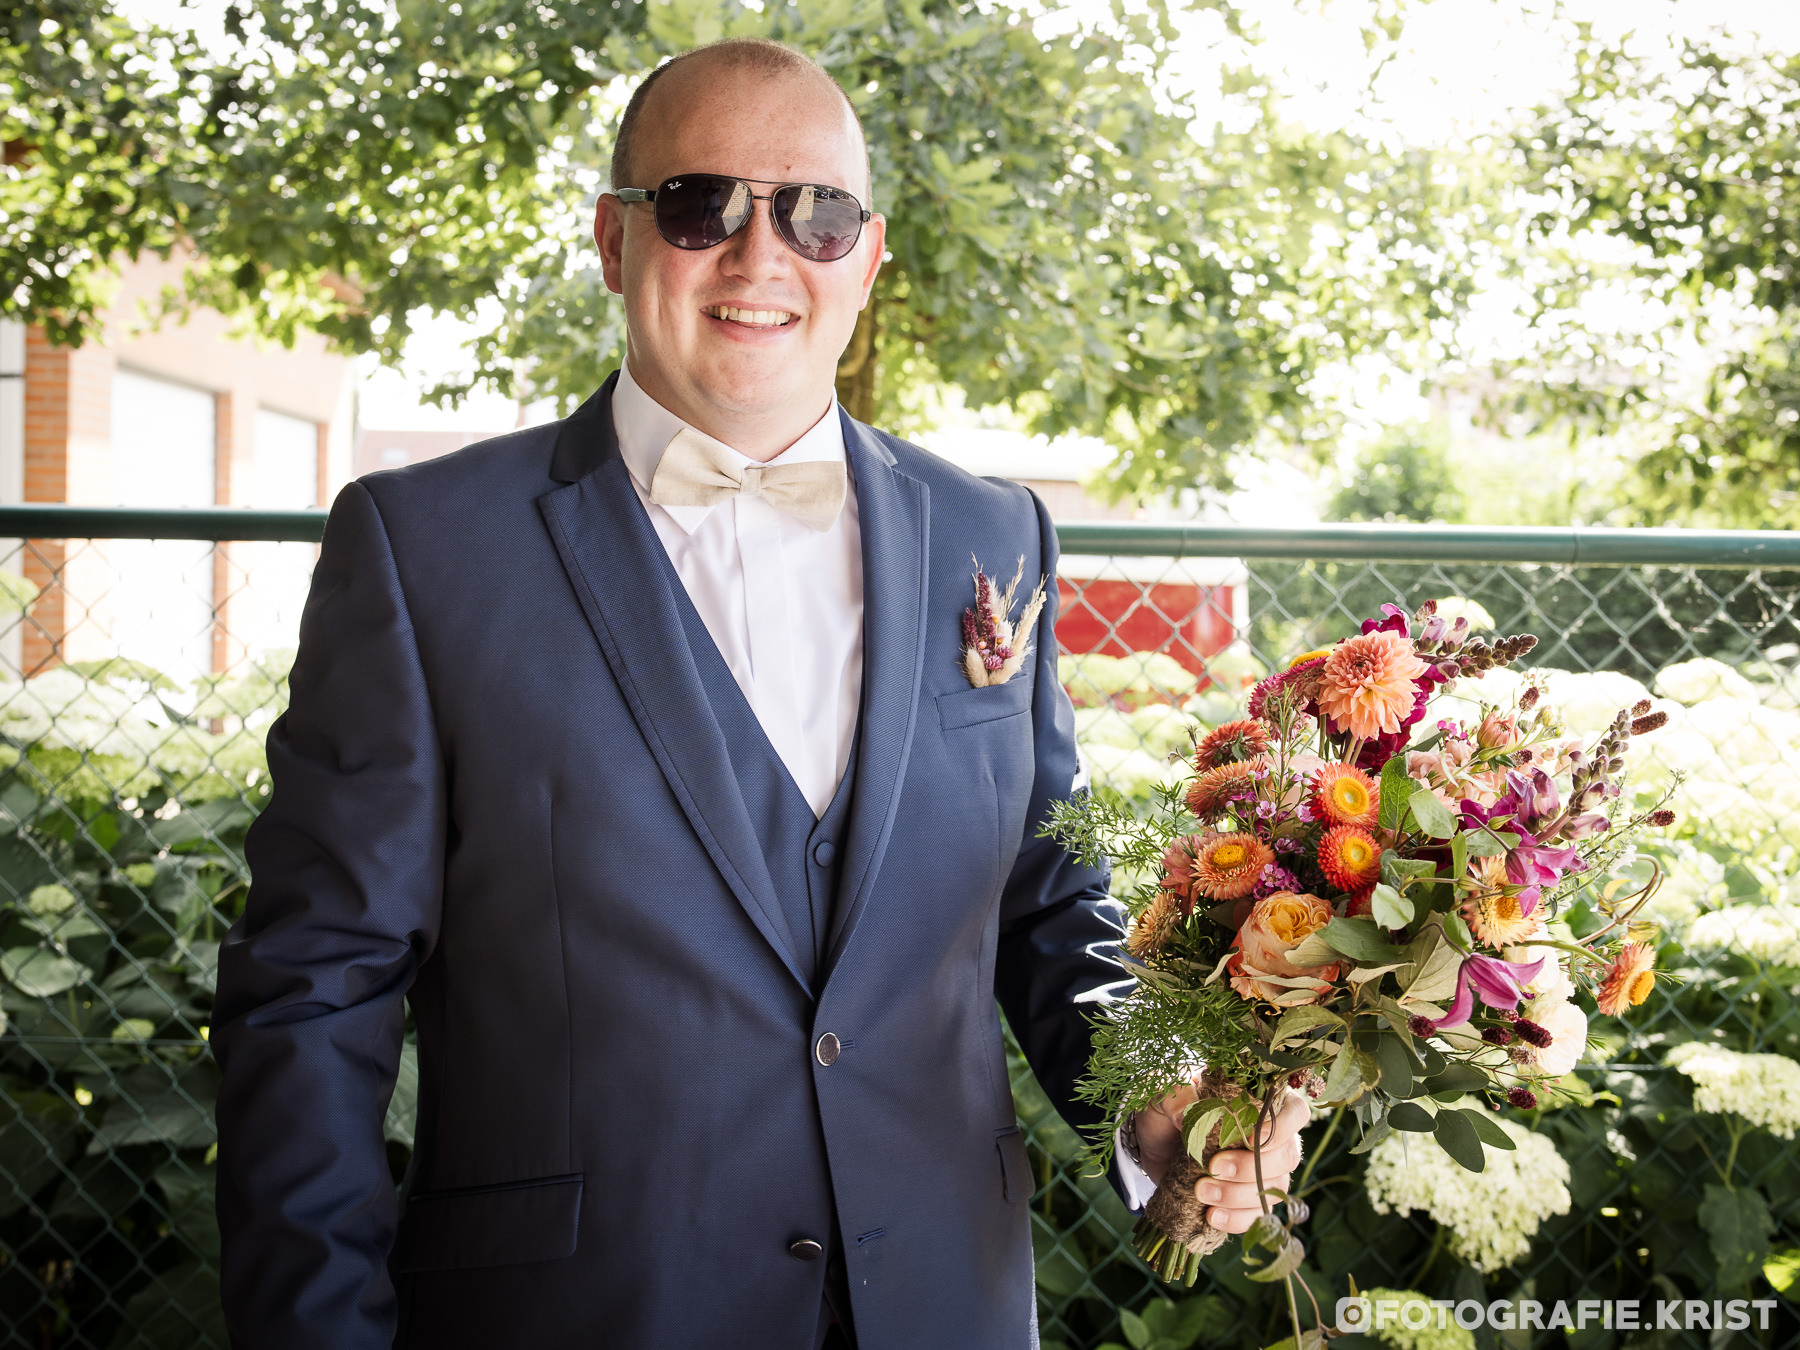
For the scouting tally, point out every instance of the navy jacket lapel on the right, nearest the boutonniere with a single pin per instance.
(895, 516)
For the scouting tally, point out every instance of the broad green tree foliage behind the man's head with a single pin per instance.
(1059, 240)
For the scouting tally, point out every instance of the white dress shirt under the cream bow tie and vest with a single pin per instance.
(784, 602)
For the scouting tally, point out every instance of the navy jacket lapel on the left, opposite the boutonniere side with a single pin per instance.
(618, 570)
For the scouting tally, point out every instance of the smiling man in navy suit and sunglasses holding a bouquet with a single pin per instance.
(638, 753)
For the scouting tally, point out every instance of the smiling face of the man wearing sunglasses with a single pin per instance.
(746, 381)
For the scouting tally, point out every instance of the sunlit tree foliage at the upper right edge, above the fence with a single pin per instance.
(1695, 163)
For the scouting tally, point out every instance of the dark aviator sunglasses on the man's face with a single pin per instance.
(705, 210)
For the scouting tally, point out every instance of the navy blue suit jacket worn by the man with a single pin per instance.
(499, 795)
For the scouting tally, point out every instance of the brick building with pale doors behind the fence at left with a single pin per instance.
(181, 415)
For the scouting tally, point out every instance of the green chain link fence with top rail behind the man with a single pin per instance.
(141, 676)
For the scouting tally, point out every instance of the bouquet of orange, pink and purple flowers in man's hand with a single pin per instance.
(1351, 904)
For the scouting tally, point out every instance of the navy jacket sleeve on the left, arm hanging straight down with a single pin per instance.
(345, 904)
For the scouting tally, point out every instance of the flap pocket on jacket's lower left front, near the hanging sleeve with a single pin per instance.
(508, 1225)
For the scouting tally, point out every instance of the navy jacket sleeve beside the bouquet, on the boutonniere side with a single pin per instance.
(1059, 931)
